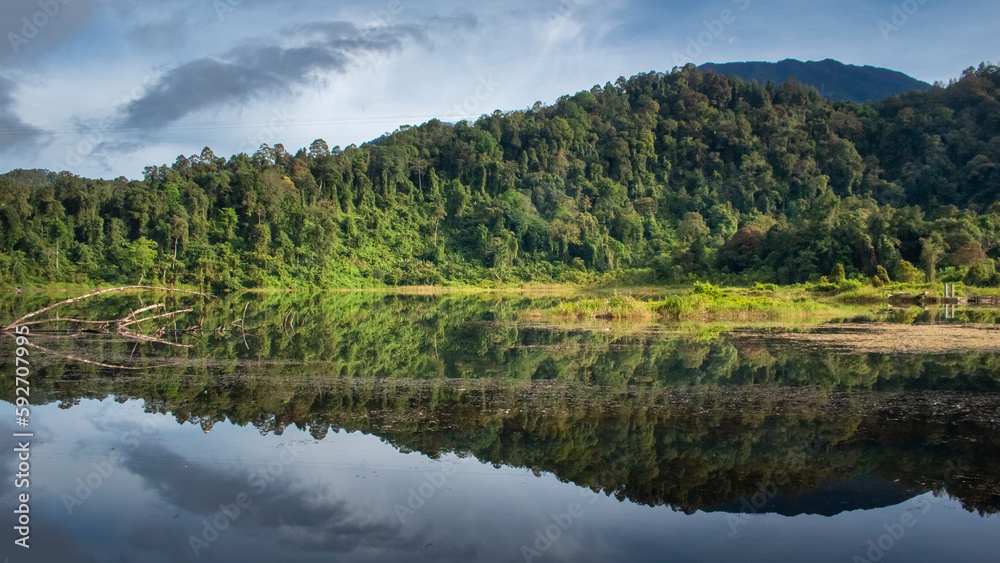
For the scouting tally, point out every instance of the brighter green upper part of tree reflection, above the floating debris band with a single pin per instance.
(488, 335)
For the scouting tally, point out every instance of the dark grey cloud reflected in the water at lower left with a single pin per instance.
(284, 512)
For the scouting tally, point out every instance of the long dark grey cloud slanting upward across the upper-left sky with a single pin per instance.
(252, 72)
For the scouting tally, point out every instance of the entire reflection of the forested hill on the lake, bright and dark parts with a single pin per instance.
(691, 418)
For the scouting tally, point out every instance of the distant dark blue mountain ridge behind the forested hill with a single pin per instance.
(833, 79)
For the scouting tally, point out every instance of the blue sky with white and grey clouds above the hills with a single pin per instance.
(103, 88)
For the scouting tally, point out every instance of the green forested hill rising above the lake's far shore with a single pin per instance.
(690, 174)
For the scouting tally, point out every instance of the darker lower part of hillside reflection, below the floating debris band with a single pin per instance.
(690, 449)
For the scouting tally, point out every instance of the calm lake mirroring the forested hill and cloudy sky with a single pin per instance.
(366, 426)
